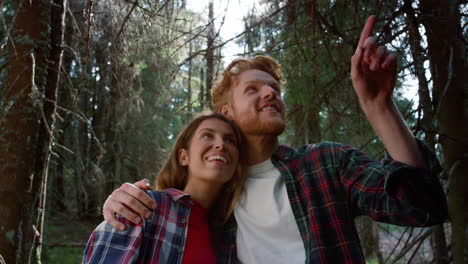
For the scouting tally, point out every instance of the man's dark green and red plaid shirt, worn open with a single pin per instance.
(329, 184)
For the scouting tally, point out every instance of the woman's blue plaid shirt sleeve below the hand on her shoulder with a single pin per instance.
(109, 245)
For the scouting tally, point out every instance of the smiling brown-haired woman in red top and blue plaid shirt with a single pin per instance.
(197, 190)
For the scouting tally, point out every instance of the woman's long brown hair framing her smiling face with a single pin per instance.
(174, 175)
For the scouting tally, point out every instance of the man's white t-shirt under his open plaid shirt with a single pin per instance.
(266, 229)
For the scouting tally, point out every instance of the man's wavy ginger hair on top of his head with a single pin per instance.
(221, 92)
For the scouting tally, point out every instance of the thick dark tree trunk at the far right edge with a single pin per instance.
(447, 52)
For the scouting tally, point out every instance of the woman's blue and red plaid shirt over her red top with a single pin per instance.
(109, 245)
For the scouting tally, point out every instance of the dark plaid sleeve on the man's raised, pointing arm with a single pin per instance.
(390, 191)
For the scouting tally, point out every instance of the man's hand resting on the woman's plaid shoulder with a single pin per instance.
(129, 201)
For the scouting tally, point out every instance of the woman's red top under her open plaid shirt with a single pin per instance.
(198, 247)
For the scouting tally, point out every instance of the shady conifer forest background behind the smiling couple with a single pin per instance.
(93, 93)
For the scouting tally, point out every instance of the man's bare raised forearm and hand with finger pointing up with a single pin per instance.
(373, 73)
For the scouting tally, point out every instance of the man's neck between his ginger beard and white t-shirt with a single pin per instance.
(260, 148)
